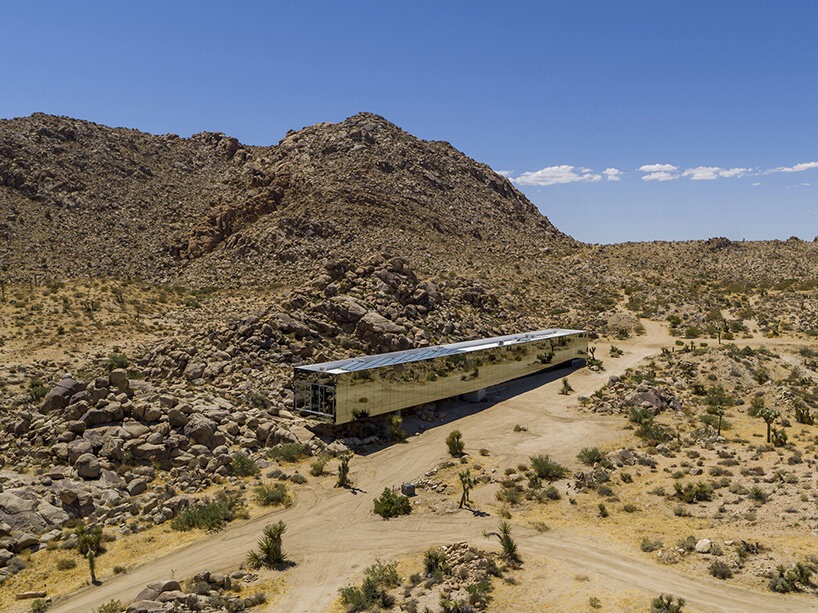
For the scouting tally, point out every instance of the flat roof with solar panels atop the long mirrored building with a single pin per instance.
(426, 353)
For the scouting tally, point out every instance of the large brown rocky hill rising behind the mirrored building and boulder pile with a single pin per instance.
(80, 199)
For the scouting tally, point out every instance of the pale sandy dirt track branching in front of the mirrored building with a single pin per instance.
(332, 534)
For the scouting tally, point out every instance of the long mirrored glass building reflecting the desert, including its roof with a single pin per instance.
(372, 385)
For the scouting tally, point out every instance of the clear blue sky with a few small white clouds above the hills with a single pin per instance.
(713, 89)
